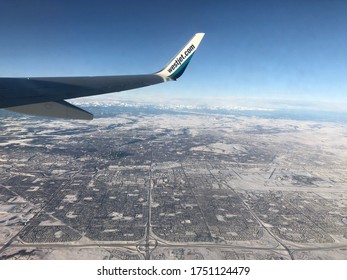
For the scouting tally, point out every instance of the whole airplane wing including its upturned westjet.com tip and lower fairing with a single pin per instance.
(46, 96)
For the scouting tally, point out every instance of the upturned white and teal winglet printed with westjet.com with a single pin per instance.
(179, 63)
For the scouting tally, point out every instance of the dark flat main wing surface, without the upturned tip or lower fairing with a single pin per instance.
(22, 91)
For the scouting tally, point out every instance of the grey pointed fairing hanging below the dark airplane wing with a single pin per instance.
(59, 109)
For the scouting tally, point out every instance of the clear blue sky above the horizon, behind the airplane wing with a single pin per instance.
(253, 49)
